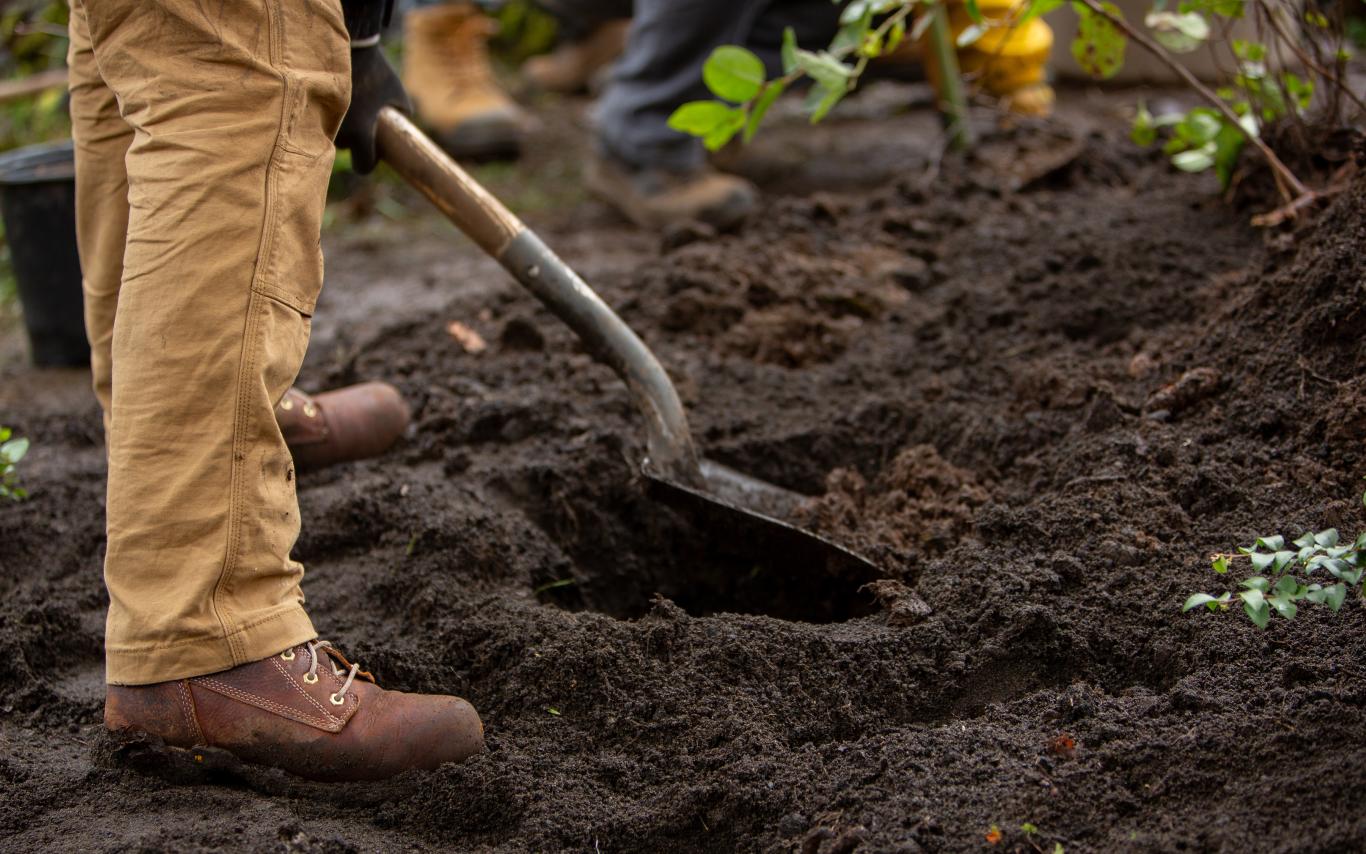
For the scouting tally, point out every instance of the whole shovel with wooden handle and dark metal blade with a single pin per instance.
(716, 497)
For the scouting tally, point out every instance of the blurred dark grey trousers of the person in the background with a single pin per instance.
(662, 68)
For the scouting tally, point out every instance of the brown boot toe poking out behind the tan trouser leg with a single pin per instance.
(353, 423)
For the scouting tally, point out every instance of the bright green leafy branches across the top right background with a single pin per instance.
(1262, 88)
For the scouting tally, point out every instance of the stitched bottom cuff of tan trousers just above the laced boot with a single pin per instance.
(257, 642)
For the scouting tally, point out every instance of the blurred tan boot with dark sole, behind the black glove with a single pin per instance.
(447, 73)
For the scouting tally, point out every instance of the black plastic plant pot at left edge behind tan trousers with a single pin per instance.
(39, 204)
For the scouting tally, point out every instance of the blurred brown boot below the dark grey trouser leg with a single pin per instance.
(656, 199)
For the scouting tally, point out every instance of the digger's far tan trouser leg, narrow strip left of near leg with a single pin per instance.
(102, 141)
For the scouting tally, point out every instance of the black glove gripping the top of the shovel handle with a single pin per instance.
(374, 83)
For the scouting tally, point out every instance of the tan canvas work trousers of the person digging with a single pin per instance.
(204, 147)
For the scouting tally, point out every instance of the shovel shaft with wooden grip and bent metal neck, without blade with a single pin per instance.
(505, 237)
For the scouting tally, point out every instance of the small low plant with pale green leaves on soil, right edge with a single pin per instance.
(1278, 586)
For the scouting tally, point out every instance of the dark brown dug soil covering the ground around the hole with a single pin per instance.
(1040, 387)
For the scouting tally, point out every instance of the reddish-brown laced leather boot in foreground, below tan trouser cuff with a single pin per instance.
(307, 711)
